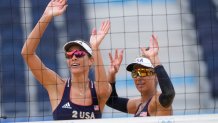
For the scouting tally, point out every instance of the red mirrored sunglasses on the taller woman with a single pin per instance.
(77, 53)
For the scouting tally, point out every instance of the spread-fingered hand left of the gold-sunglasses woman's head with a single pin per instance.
(115, 62)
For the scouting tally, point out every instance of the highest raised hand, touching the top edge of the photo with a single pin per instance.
(56, 7)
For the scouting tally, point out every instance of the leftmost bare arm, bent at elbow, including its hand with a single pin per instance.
(44, 75)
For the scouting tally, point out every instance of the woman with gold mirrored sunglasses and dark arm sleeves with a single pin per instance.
(146, 72)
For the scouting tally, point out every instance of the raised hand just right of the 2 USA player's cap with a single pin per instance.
(97, 37)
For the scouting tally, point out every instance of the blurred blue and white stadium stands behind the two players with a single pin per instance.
(188, 37)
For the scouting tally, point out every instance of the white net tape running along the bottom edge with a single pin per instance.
(212, 118)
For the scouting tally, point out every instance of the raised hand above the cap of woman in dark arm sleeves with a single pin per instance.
(152, 51)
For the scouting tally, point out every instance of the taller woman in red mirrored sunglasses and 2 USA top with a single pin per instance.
(76, 97)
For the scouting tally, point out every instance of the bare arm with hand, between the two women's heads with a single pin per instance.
(102, 86)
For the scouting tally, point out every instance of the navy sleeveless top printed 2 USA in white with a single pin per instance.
(67, 110)
